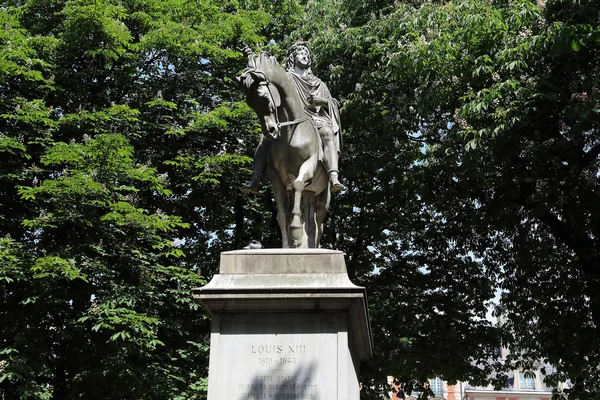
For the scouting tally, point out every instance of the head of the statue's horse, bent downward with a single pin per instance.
(263, 97)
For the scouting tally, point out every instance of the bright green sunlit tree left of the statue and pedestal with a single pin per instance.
(122, 138)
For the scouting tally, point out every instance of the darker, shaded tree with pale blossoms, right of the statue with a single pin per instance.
(471, 154)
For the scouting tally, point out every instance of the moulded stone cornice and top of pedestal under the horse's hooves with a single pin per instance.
(288, 280)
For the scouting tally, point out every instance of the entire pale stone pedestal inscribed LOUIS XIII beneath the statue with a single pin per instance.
(286, 324)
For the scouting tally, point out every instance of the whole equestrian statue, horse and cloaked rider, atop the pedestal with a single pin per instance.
(300, 143)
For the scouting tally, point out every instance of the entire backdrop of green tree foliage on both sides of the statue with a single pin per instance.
(470, 155)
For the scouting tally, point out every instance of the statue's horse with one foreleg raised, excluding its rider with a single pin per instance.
(295, 153)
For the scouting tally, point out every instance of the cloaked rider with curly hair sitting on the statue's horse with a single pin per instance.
(319, 106)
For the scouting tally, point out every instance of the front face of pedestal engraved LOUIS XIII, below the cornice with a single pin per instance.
(275, 355)
